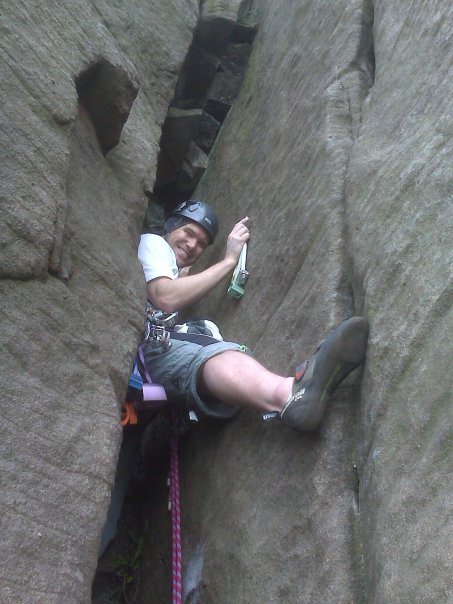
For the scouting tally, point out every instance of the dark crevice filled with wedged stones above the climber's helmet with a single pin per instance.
(209, 81)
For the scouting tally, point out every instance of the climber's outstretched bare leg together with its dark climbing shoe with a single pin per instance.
(237, 379)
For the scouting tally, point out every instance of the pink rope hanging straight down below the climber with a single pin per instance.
(175, 518)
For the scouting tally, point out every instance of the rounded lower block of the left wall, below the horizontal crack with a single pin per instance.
(58, 446)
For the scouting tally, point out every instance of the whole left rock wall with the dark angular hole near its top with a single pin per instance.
(85, 88)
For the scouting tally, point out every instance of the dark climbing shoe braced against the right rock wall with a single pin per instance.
(316, 379)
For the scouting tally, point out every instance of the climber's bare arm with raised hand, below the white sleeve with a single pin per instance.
(171, 295)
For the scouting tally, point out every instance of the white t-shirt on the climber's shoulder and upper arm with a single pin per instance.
(156, 257)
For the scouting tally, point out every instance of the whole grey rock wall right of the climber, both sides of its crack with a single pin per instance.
(339, 149)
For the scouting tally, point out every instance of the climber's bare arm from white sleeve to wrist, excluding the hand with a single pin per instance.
(171, 295)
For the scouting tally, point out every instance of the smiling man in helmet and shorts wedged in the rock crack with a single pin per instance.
(215, 377)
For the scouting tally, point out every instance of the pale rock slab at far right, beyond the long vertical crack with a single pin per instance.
(399, 212)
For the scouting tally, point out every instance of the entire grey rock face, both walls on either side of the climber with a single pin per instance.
(338, 148)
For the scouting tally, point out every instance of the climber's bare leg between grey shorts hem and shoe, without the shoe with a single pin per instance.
(237, 379)
